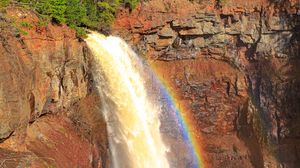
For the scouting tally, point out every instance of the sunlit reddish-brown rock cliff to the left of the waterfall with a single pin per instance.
(48, 107)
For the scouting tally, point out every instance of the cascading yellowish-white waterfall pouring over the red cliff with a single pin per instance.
(132, 121)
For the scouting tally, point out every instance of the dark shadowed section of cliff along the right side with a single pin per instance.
(269, 122)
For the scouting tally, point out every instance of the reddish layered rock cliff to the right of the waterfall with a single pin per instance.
(235, 64)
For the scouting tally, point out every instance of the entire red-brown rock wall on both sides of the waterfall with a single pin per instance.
(234, 64)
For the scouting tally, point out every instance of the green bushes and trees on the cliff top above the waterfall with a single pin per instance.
(78, 14)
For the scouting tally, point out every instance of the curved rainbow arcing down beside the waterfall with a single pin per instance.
(185, 121)
